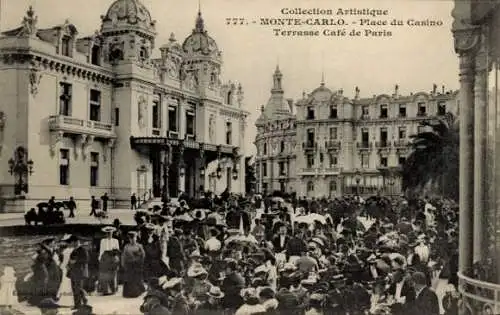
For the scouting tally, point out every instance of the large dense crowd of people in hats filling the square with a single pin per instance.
(253, 255)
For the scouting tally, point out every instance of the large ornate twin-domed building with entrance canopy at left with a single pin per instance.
(83, 116)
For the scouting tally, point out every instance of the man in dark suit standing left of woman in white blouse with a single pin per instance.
(78, 271)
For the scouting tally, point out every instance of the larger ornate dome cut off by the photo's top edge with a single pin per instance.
(128, 13)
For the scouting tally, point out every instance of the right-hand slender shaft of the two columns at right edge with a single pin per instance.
(480, 125)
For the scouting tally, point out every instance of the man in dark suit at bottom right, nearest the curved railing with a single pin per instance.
(426, 301)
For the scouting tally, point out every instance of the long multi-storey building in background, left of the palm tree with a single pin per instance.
(326, 144)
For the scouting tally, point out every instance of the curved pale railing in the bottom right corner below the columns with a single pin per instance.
(480, 297)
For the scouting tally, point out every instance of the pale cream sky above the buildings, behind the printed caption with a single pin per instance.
(413, 57)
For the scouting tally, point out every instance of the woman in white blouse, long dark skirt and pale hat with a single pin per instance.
(109, 253)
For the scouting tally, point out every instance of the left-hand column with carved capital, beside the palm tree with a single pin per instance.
(466, 40)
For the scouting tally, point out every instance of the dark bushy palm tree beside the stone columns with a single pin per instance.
(434, 160)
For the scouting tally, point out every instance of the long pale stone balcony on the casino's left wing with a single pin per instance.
(73, 125)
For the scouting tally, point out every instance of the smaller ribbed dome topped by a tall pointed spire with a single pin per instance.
(199, 42)
